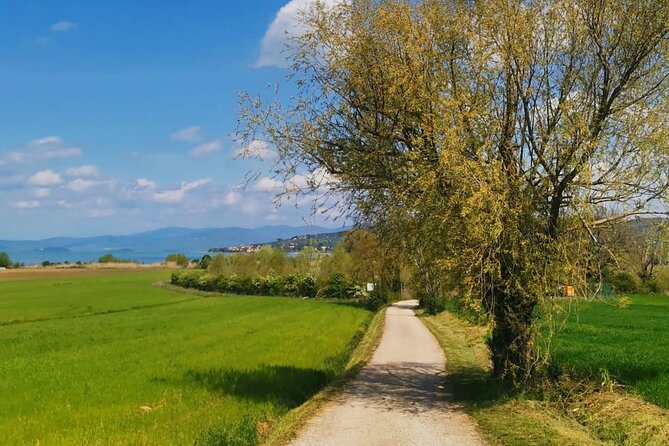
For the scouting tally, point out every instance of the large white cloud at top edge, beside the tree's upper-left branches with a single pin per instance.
(285, 24)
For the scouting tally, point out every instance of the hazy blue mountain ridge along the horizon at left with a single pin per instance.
(157, 243)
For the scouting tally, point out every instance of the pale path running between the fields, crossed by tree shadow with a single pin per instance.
(397, 399)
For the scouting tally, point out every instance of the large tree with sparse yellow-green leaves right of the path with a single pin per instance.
(485, 137)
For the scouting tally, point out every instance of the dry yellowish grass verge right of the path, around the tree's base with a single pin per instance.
(602, 416)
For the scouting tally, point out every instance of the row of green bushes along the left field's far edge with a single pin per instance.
(358, 259)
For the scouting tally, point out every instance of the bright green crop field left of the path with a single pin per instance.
(110, 359)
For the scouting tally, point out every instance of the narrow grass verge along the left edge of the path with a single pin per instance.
(360, 353)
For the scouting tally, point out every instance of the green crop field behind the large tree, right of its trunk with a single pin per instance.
(630, 344)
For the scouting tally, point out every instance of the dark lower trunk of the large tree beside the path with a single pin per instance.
(511, 343)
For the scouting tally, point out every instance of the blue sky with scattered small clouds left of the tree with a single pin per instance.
(117, 117)
